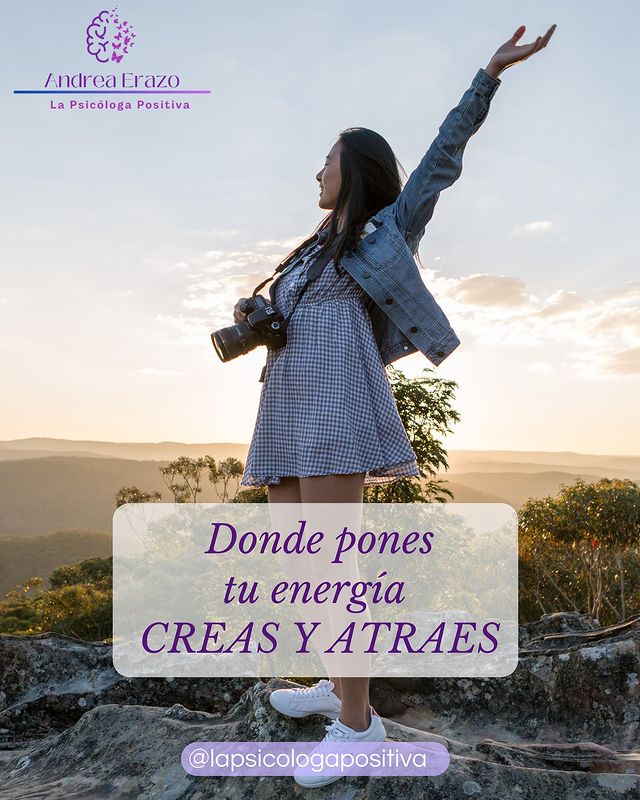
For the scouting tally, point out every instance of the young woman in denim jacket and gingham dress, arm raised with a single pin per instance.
(327, 423)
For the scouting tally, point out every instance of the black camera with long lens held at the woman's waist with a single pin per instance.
(264, 325)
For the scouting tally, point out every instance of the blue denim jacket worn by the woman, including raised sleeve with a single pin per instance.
(404, 314)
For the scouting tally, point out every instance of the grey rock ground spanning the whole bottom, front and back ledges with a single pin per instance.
(564, 725)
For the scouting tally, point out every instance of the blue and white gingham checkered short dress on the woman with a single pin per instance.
(326, 406)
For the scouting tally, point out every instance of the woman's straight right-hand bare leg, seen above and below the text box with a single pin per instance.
(354, 692)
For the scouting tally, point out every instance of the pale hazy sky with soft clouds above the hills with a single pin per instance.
(128, 237)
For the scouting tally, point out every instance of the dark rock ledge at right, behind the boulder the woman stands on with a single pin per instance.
(578, 682)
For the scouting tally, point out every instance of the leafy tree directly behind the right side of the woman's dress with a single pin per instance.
(424, 405)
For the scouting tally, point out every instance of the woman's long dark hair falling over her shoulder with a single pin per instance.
(370, 181)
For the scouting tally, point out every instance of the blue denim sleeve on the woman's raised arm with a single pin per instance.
(442, 163)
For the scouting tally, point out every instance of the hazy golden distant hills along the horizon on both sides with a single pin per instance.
(47, 484)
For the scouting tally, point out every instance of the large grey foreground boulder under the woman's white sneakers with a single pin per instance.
(133, 751)
